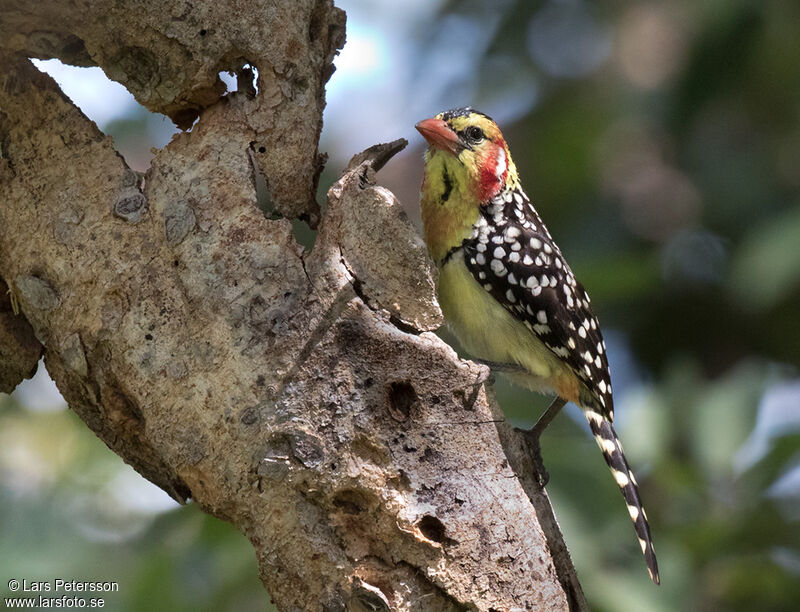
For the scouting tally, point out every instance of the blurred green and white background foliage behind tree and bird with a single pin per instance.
(660, 141)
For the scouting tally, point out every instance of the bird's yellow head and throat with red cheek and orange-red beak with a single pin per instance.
(467, 163)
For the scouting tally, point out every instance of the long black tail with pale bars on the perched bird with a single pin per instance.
(609, 443)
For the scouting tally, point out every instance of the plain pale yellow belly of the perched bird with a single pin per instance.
(490, 332)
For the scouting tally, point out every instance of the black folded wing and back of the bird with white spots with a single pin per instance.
(513, 257)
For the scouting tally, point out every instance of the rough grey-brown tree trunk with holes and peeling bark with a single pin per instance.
(300, 396)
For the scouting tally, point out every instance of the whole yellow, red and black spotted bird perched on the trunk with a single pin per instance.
(507, 292)
